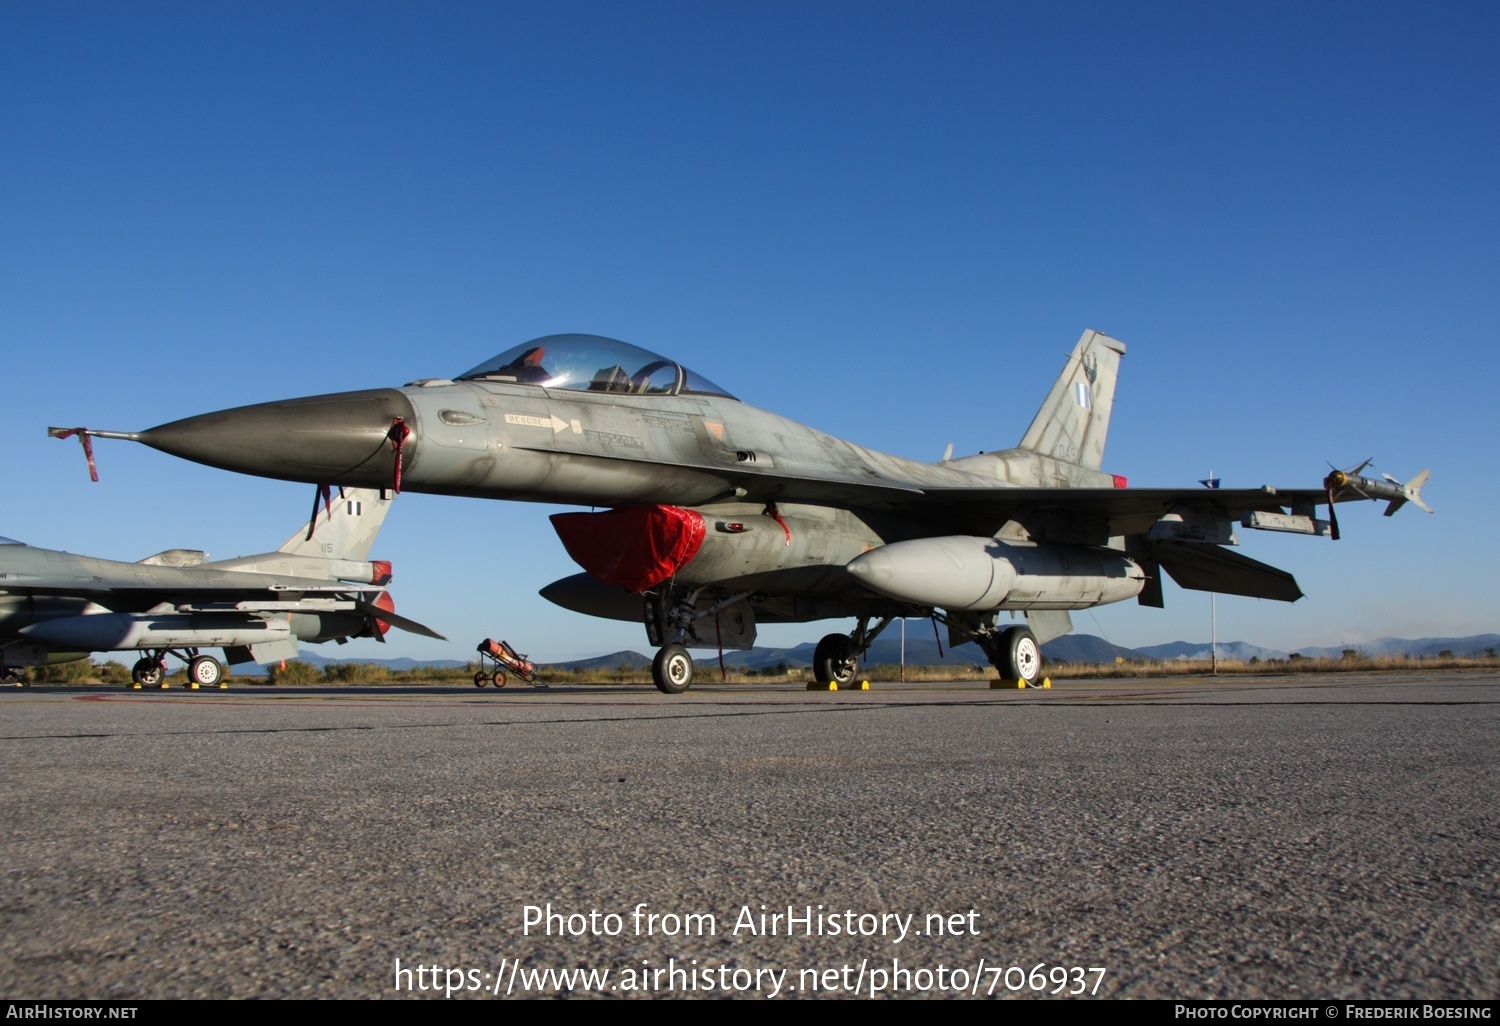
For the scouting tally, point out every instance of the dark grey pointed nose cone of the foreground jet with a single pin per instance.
(343, 439)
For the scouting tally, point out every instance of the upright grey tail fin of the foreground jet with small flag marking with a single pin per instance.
(1076, 418)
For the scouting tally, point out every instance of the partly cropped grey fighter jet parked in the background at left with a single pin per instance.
(56, 607)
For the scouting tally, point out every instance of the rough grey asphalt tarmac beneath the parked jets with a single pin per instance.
(1273, 838)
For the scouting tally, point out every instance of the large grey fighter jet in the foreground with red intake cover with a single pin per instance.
(721, 517)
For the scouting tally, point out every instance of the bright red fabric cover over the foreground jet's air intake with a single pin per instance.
(635, 547)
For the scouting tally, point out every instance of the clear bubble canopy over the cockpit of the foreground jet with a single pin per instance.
(593, 364)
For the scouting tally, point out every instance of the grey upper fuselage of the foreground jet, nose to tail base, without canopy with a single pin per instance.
(532, 443)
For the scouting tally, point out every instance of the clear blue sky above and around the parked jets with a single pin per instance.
(887, 221)
